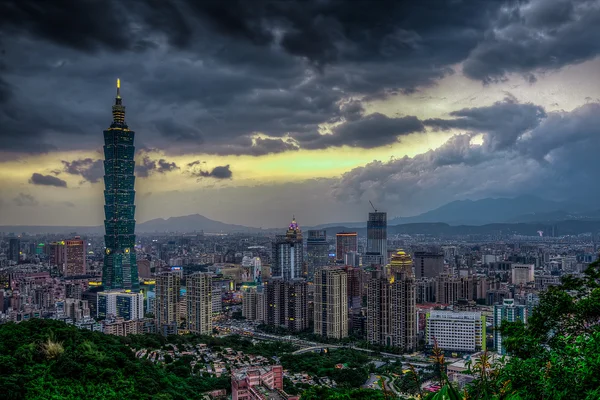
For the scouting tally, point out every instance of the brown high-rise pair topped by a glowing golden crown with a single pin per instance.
(391, 307)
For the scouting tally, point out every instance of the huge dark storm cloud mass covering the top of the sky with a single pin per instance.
(215, 77)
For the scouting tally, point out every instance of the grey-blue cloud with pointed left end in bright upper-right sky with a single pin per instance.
(502, 123)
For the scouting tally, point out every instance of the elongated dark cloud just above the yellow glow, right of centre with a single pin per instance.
(371, 131)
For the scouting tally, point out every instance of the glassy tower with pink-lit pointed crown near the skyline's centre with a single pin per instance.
(288, 254)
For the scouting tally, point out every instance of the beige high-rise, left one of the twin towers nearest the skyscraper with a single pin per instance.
(166, 301)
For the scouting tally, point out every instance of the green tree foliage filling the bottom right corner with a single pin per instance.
(555, 356)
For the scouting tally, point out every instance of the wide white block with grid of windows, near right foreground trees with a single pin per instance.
(456, 331)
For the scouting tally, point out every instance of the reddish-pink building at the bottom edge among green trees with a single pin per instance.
(259, 383)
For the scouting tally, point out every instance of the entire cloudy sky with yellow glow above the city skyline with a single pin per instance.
(248, 112)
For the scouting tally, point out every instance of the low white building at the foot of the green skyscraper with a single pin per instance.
(127, 305)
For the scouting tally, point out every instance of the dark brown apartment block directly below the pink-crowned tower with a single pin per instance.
(286, 304)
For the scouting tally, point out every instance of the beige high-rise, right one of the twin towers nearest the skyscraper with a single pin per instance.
(199, 303)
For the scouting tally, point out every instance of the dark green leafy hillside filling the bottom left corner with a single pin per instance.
(44, 359)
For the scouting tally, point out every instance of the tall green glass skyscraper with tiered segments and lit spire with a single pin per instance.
(120, 265)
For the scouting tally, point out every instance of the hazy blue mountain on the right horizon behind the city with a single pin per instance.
(487, 211)
